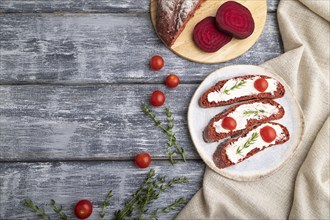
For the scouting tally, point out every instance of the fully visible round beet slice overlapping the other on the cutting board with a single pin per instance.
(235, 19)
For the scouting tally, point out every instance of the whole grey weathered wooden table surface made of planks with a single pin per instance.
(72, 77)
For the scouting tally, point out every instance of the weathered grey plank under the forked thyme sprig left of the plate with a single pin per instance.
(100, 122)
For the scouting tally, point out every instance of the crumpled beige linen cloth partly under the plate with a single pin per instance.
(300, 189)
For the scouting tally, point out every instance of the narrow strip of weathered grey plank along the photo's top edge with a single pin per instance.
(74, 6)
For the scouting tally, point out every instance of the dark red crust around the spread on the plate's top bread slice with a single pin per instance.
(280, 91)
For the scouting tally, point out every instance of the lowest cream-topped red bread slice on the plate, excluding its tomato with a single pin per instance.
(247, 144)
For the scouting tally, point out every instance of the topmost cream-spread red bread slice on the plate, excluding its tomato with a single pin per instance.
(240, 88)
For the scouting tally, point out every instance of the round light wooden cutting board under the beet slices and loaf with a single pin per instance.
(185, 47)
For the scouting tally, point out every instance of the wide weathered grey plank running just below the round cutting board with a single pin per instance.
(106, 48)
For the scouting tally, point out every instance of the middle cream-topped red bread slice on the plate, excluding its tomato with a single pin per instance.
(247, 115)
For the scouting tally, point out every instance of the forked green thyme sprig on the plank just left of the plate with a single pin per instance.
(169, 131)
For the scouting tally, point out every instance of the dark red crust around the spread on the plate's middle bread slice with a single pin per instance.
(210, 134)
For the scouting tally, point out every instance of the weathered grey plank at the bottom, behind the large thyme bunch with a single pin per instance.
(67, 183)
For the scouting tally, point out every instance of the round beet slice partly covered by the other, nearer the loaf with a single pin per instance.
(207, 37)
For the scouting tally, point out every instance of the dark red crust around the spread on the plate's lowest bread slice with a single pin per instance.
(220, 157)
